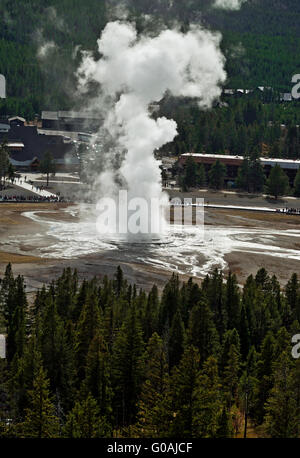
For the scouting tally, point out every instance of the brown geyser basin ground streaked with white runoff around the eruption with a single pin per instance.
(41, 240)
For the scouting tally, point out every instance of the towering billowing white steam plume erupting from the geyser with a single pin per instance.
(135, 72)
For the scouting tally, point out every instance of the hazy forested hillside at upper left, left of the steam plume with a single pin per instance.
(33, 82)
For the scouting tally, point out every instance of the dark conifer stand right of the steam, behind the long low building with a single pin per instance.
(240, 126)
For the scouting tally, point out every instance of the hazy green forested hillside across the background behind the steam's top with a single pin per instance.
(261, 42)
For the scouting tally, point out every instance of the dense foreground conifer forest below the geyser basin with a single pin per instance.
(103, 359)
